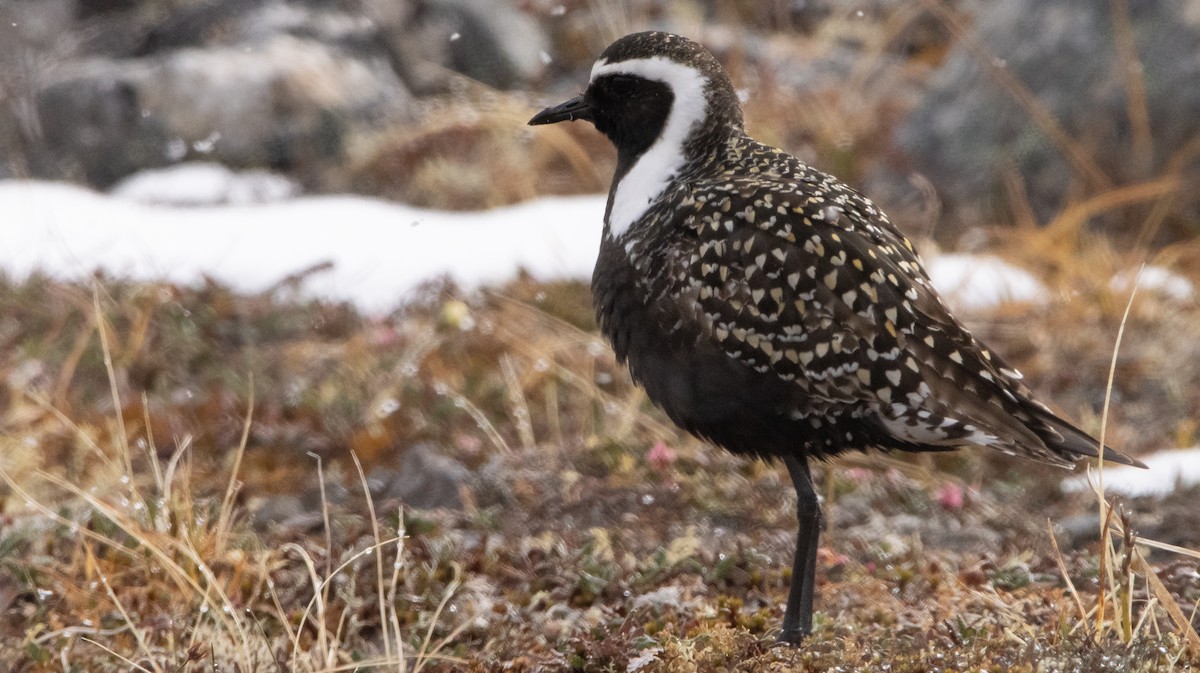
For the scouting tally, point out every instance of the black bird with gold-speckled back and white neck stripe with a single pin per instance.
(772, 310)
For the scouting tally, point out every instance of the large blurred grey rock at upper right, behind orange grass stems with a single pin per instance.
(970, 135)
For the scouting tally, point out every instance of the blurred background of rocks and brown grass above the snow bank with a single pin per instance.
(953, 115)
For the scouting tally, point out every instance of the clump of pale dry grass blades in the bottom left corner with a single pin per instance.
(135, 570)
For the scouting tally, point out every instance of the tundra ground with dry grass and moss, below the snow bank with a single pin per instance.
(593, 538)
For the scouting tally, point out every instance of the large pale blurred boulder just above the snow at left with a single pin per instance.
(285, 104)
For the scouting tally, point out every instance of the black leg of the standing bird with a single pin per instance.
(799, 615)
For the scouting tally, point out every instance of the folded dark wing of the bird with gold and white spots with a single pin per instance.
(830, 296)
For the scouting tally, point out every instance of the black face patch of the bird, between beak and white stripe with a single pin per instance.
(631, 111)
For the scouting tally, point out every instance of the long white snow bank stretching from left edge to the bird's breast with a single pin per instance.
(380, 251)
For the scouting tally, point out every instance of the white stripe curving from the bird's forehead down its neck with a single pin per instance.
(658, 165)
